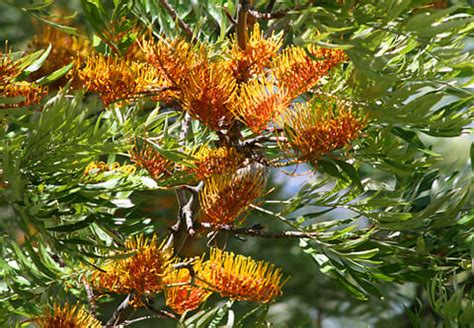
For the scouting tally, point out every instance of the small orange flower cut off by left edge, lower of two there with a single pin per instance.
(29, 93)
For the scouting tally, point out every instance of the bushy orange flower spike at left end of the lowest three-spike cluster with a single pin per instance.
(143, 272)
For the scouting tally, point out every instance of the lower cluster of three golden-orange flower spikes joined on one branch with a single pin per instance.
(151, 269)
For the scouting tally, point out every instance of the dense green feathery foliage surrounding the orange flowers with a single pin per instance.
(391, 215)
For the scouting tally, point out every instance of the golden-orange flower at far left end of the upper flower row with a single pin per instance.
(115, 79)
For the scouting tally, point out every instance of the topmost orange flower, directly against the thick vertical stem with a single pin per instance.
(256, 57)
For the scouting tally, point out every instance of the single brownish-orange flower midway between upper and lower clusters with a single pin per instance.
(224, 198)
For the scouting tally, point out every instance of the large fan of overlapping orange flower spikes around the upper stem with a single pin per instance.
(253, 85)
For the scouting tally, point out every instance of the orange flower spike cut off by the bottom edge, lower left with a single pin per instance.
(67, 317)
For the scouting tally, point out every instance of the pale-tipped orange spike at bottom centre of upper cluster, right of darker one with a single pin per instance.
(259, 103)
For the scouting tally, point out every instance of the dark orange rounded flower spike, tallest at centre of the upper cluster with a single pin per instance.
(208, 93)
